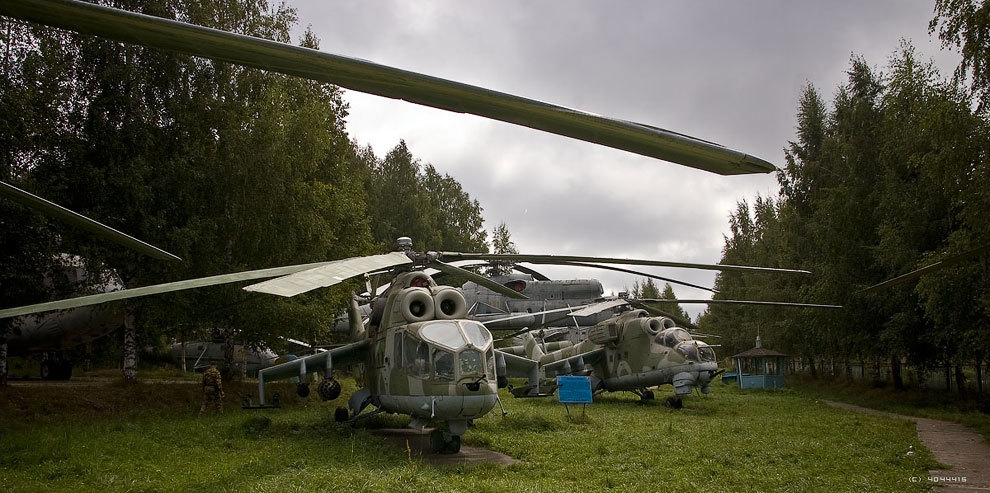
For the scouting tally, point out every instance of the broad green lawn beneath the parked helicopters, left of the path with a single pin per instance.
(729, 441)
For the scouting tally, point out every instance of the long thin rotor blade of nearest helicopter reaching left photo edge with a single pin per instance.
(156, 289)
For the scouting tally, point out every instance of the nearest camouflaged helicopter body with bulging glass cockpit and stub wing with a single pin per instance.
(421, 356)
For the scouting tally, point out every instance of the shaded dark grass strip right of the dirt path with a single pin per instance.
(934, 404)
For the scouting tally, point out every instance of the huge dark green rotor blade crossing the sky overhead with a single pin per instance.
(381, 80)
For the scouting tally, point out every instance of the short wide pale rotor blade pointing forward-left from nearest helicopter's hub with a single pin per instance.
(327, 275)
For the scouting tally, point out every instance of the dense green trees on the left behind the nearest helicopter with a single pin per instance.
(228, 167)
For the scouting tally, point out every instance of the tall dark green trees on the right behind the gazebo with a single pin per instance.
(889, 177)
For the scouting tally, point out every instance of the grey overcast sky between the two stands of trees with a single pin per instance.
(729, 72)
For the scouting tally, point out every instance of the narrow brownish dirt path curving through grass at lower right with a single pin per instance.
(954, 444)
